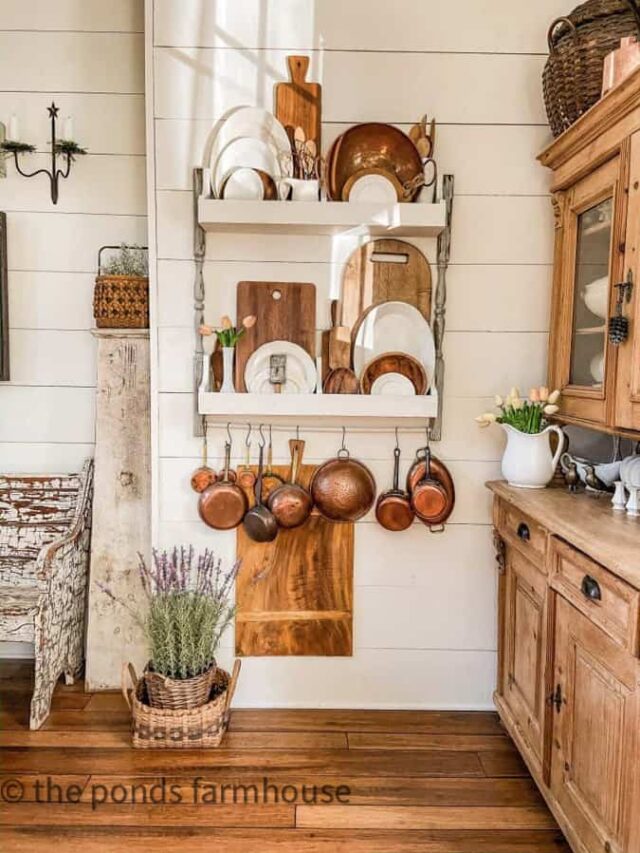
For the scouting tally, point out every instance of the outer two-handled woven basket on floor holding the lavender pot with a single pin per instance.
(198, 728)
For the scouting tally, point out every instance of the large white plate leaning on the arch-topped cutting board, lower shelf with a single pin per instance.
(394, 327)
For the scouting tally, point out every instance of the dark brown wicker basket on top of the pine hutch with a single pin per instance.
(578, 44)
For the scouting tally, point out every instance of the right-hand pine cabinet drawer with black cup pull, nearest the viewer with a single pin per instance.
(608, 601)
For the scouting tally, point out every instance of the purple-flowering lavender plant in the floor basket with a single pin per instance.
(188, 609)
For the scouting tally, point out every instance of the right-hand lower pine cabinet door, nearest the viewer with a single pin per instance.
(595, 732)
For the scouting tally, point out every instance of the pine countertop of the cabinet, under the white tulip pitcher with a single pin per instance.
(585, 520)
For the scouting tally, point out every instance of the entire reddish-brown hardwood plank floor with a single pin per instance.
(399, 782)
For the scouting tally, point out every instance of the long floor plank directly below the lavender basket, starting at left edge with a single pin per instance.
(319, 761)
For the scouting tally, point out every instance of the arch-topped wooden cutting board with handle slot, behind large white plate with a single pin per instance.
(384, 271)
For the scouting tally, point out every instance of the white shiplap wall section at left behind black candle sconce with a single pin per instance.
(88, 56)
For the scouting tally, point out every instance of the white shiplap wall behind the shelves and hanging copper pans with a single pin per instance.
(424, 604)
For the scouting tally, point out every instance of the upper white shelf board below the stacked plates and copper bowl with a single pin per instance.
(409, 219)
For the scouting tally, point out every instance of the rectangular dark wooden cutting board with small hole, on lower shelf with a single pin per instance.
(286, 312)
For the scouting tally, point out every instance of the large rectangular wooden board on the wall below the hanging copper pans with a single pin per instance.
(294, 596)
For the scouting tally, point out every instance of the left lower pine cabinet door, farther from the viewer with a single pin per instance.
(525, 648)
